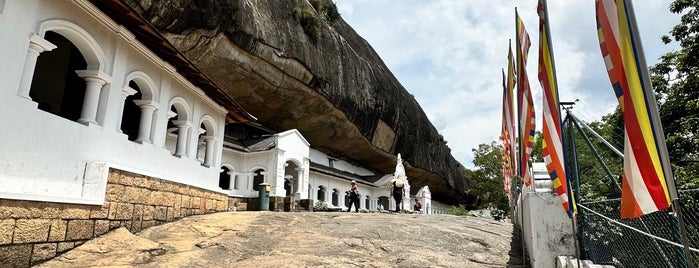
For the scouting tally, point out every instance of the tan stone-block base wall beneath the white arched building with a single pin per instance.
(32, 232)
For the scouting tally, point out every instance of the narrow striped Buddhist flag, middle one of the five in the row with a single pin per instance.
(527, 121)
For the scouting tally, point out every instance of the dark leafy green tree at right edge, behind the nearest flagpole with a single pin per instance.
(676, 81)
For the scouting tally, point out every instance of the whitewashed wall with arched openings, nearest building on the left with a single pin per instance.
(49, 158)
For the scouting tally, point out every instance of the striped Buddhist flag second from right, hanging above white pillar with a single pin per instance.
(552, 148)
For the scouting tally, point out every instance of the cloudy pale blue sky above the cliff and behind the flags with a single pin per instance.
(449, 54)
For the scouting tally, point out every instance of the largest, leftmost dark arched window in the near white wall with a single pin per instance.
(56, 87)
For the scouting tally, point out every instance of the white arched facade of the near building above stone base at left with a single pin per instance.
(70, 162)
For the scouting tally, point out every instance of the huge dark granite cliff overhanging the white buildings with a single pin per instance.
(333, 88)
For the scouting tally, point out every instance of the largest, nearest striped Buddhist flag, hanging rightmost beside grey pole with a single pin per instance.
(644, 188)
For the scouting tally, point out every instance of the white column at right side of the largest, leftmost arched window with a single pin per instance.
(94, 80)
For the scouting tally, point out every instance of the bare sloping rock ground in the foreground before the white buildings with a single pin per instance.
(304, 239)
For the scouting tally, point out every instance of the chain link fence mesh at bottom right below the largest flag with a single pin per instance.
(653, 240)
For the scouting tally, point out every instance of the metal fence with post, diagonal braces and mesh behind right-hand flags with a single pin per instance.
(653, 240)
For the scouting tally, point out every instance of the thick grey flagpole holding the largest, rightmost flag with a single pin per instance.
(658, 131)
